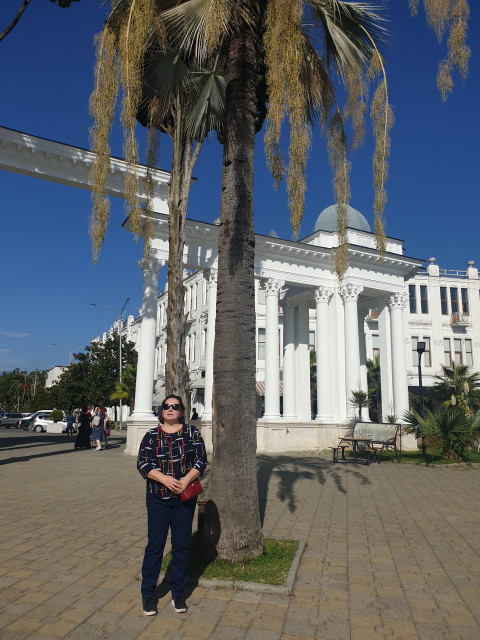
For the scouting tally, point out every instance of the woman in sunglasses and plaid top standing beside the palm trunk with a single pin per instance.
(171, 456)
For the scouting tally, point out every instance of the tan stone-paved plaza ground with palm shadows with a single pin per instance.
(393, 551)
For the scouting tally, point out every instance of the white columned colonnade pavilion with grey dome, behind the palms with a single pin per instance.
(299, 276)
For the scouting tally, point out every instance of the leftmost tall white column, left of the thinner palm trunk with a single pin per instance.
(146, 352)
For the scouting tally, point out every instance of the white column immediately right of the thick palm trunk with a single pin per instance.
(272, 366)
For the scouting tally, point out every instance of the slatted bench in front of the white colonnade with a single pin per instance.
(381, 437)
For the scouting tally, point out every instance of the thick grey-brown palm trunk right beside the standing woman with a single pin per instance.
(232, 520)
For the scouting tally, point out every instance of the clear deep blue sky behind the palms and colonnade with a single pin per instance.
(48, 279)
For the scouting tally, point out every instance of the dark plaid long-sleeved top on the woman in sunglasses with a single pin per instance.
(188, 452)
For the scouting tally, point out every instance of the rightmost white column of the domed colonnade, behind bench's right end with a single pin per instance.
(398, 303)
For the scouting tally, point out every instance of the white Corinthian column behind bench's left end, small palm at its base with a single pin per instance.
(350, 293)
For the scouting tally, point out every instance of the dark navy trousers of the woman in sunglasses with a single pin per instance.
(162, 515)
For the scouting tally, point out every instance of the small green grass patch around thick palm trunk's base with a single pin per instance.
(271, 567)
